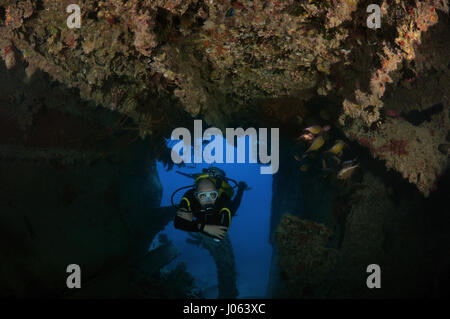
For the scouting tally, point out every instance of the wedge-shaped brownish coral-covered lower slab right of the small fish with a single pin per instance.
(411, 150)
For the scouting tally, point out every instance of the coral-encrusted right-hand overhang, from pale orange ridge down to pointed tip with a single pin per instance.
(416, 66)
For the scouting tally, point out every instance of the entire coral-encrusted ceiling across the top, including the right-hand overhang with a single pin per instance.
(219, 59)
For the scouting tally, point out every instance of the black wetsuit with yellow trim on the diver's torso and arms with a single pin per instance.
(219, 214)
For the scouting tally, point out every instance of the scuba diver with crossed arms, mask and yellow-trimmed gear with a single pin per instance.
(208, 206)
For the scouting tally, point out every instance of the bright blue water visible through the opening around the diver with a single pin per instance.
(249, 231)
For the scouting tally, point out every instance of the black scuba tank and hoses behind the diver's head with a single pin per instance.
(216, 175)
